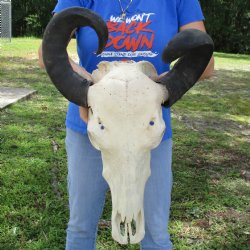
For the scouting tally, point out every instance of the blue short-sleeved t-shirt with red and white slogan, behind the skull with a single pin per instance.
(148, 27)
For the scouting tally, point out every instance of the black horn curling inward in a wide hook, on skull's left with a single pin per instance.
(56, 38)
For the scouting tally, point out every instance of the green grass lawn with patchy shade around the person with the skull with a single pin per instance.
(210, 199)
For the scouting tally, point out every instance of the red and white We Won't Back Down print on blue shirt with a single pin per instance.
(130, 38)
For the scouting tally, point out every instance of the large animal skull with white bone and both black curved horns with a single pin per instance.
(125, 114)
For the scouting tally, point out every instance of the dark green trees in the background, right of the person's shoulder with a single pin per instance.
(228, 22)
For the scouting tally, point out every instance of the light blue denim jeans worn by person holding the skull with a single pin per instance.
(87, 189)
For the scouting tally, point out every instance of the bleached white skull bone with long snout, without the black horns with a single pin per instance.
(125, 123)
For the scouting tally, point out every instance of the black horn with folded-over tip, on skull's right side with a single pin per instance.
(195, 49)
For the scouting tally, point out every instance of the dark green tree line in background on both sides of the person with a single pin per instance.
(228, 22)
